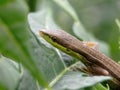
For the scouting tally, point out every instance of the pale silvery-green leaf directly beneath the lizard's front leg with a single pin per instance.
(77, 80)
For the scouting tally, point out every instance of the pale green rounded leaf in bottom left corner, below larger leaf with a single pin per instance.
(9, 73)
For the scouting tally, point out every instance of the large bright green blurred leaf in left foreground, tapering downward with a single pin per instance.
(15, 38)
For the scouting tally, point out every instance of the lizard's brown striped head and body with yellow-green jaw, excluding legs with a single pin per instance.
(60, 38)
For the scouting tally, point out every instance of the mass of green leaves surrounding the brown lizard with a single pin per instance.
(27, 62)
